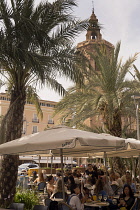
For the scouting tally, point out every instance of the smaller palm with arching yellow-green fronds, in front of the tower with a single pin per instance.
(106, 93)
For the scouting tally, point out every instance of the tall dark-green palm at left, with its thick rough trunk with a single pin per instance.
(36, 46)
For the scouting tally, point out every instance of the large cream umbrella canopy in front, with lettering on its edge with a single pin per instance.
(72, 141)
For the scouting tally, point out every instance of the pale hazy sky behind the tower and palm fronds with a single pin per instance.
(120, 20)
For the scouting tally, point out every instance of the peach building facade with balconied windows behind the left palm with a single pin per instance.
(32, 123)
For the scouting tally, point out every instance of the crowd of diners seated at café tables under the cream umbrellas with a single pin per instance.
(84, 187)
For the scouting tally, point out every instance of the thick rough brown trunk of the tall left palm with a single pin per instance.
(12, 129)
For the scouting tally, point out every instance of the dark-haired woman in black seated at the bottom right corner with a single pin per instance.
(127, 198)
